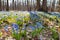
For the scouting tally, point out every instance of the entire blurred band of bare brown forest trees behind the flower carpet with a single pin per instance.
(30, 5)
